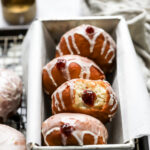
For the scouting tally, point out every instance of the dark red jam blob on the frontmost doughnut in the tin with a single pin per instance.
(66, 129)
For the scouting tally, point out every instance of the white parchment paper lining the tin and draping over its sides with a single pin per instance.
(132, 120)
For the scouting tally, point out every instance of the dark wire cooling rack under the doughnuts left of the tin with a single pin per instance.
(10, 57)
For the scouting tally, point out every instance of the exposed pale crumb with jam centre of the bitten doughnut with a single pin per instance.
(98, 95)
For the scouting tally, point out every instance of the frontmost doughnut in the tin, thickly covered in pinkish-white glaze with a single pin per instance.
(73, 129)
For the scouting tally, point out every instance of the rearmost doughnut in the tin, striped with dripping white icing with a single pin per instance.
(91, 42)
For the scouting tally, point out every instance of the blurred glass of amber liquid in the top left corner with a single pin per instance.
(18, 12)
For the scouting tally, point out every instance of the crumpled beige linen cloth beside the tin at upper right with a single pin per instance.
(137, 15)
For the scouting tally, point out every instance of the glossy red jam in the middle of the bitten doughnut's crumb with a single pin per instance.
(89, 97)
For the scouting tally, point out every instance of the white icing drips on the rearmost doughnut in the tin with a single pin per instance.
(81, 30)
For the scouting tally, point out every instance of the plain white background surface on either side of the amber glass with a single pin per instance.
(51, 9)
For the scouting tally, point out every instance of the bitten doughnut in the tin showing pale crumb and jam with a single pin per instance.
(91, 97)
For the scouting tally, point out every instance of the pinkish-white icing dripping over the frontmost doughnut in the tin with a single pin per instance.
(78, 121)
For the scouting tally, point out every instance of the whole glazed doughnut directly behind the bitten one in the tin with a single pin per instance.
(68, 67)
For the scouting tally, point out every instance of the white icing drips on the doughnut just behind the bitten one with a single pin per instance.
(84, 63)
